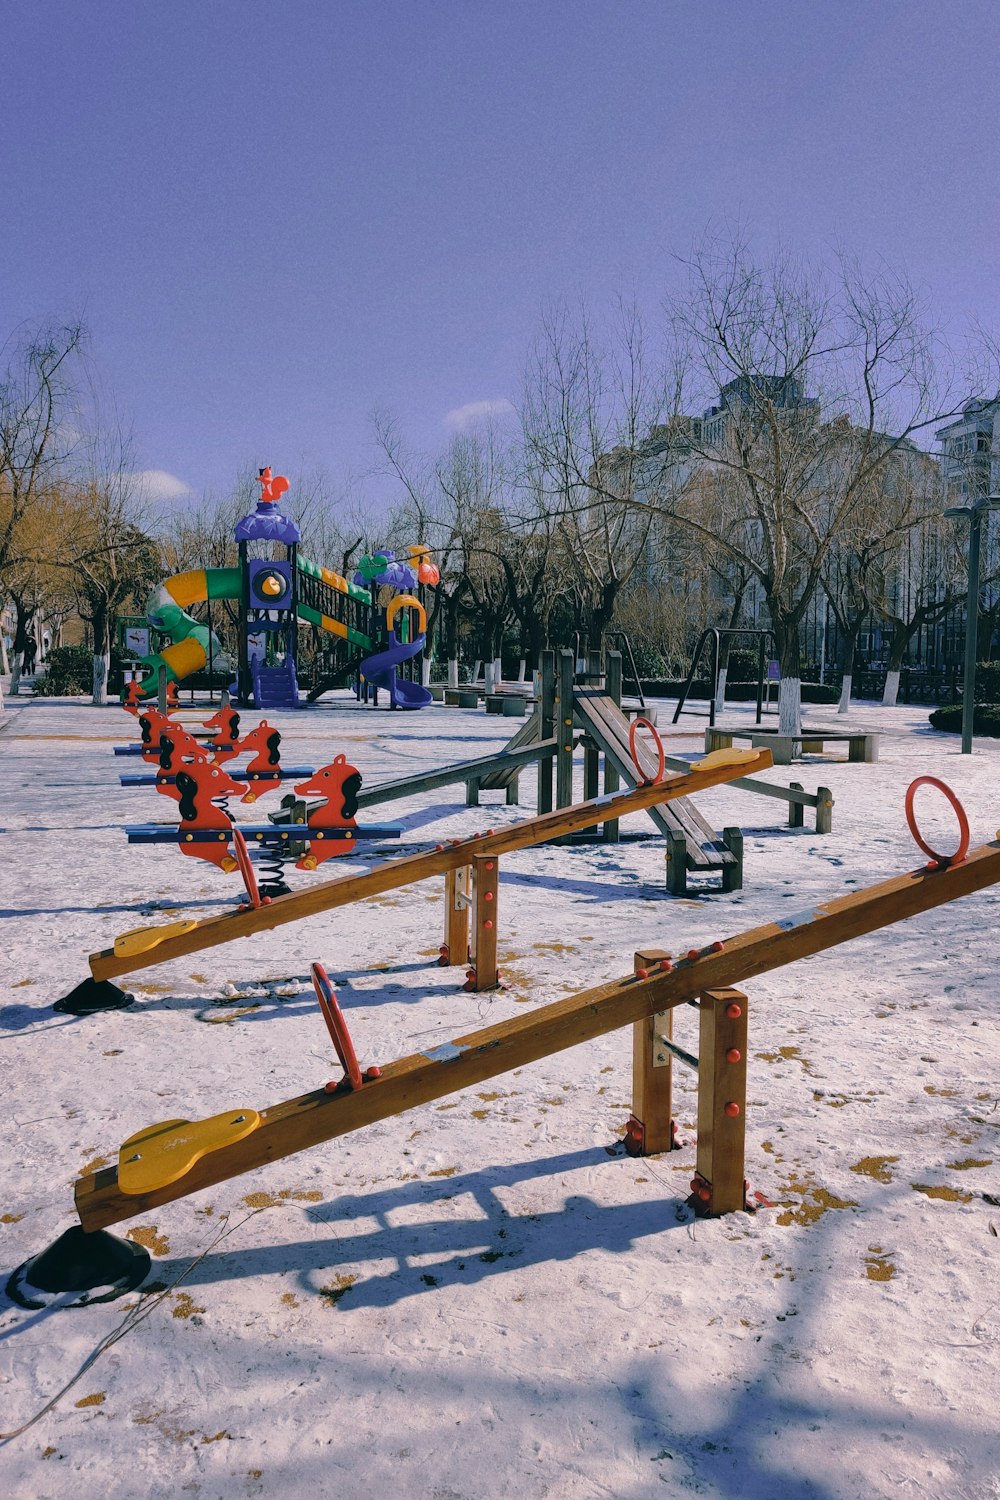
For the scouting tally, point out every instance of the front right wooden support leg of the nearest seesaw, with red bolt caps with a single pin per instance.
(722, 1103)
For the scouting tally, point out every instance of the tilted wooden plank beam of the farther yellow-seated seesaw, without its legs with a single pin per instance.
(410, 869)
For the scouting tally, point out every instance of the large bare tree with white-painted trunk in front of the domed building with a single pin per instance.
(809, 386)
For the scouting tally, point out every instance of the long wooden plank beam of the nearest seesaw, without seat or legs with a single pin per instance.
(319, 1117)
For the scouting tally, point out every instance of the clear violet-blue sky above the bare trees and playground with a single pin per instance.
(277, 215)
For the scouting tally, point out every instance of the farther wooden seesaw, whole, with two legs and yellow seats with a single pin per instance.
(472, 869)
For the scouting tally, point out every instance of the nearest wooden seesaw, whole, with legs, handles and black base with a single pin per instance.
(176, 1159)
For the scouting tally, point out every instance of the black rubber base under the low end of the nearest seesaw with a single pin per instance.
(98, 1265)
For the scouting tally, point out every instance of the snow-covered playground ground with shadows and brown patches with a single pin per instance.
(487, 1297)
